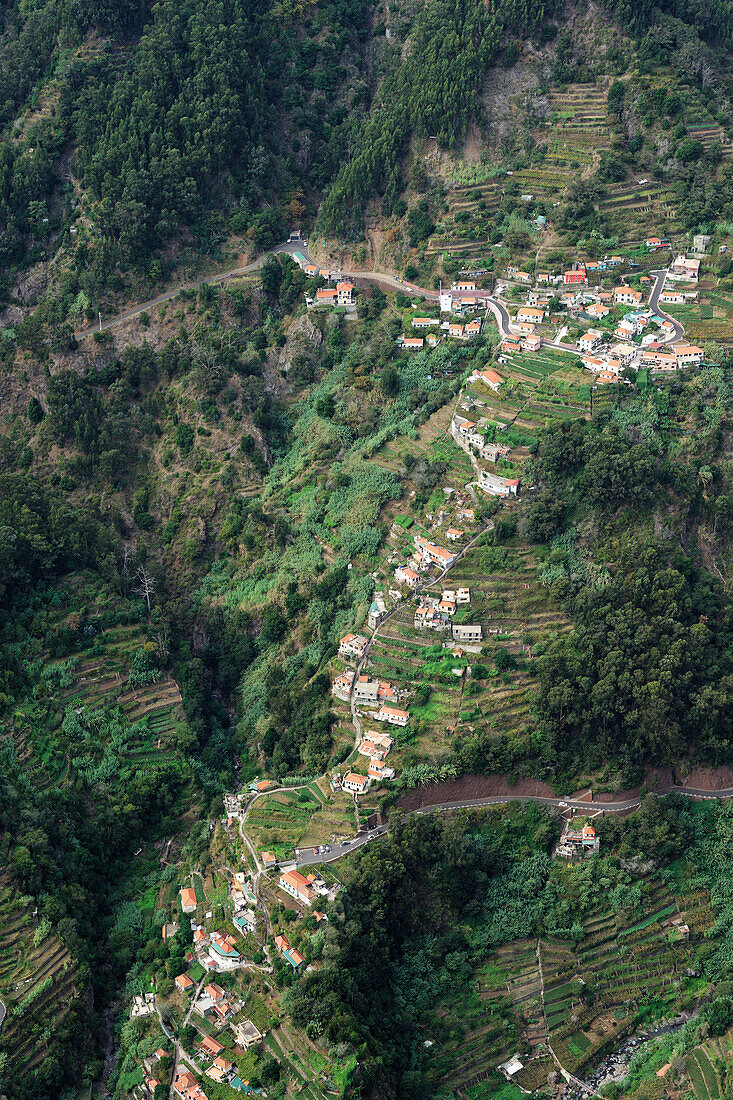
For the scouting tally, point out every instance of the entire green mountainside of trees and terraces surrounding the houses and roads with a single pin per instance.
(199, 503)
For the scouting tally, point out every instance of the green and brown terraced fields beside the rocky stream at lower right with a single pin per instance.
(590, 992)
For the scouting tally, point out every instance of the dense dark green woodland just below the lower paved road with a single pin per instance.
(428, 910)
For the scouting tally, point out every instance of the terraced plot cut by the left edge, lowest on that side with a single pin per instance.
(37, 982)
